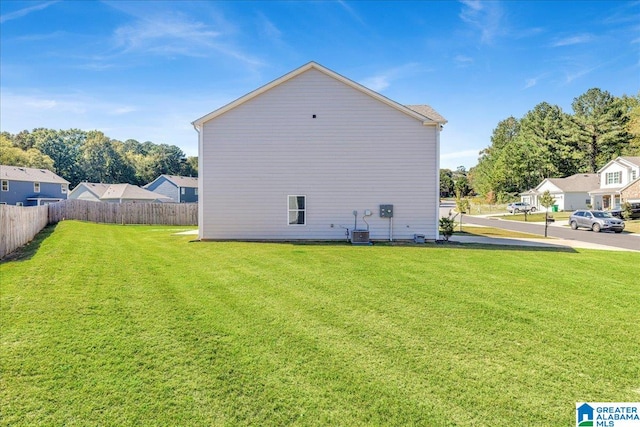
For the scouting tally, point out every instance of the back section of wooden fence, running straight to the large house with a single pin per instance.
(125, 213)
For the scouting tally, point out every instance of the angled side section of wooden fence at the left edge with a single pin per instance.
(19, 225)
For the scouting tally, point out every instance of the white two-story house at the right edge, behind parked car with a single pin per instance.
(614, 177)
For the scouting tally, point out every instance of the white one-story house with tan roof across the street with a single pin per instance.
(570, 193)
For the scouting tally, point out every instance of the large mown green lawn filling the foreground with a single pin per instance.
(107, 325)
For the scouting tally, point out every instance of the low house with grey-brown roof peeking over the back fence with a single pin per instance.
(115, 193)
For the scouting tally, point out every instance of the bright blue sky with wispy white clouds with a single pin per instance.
(145, 70)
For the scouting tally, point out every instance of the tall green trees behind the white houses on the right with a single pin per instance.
(549, 143)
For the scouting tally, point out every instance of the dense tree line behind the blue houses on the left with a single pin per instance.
(91, 156)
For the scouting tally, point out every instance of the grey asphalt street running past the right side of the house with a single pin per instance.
(623, 240)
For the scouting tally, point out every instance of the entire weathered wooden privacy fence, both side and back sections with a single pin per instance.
(19, 225)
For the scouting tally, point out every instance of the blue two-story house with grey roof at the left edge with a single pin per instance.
(31, 187)
